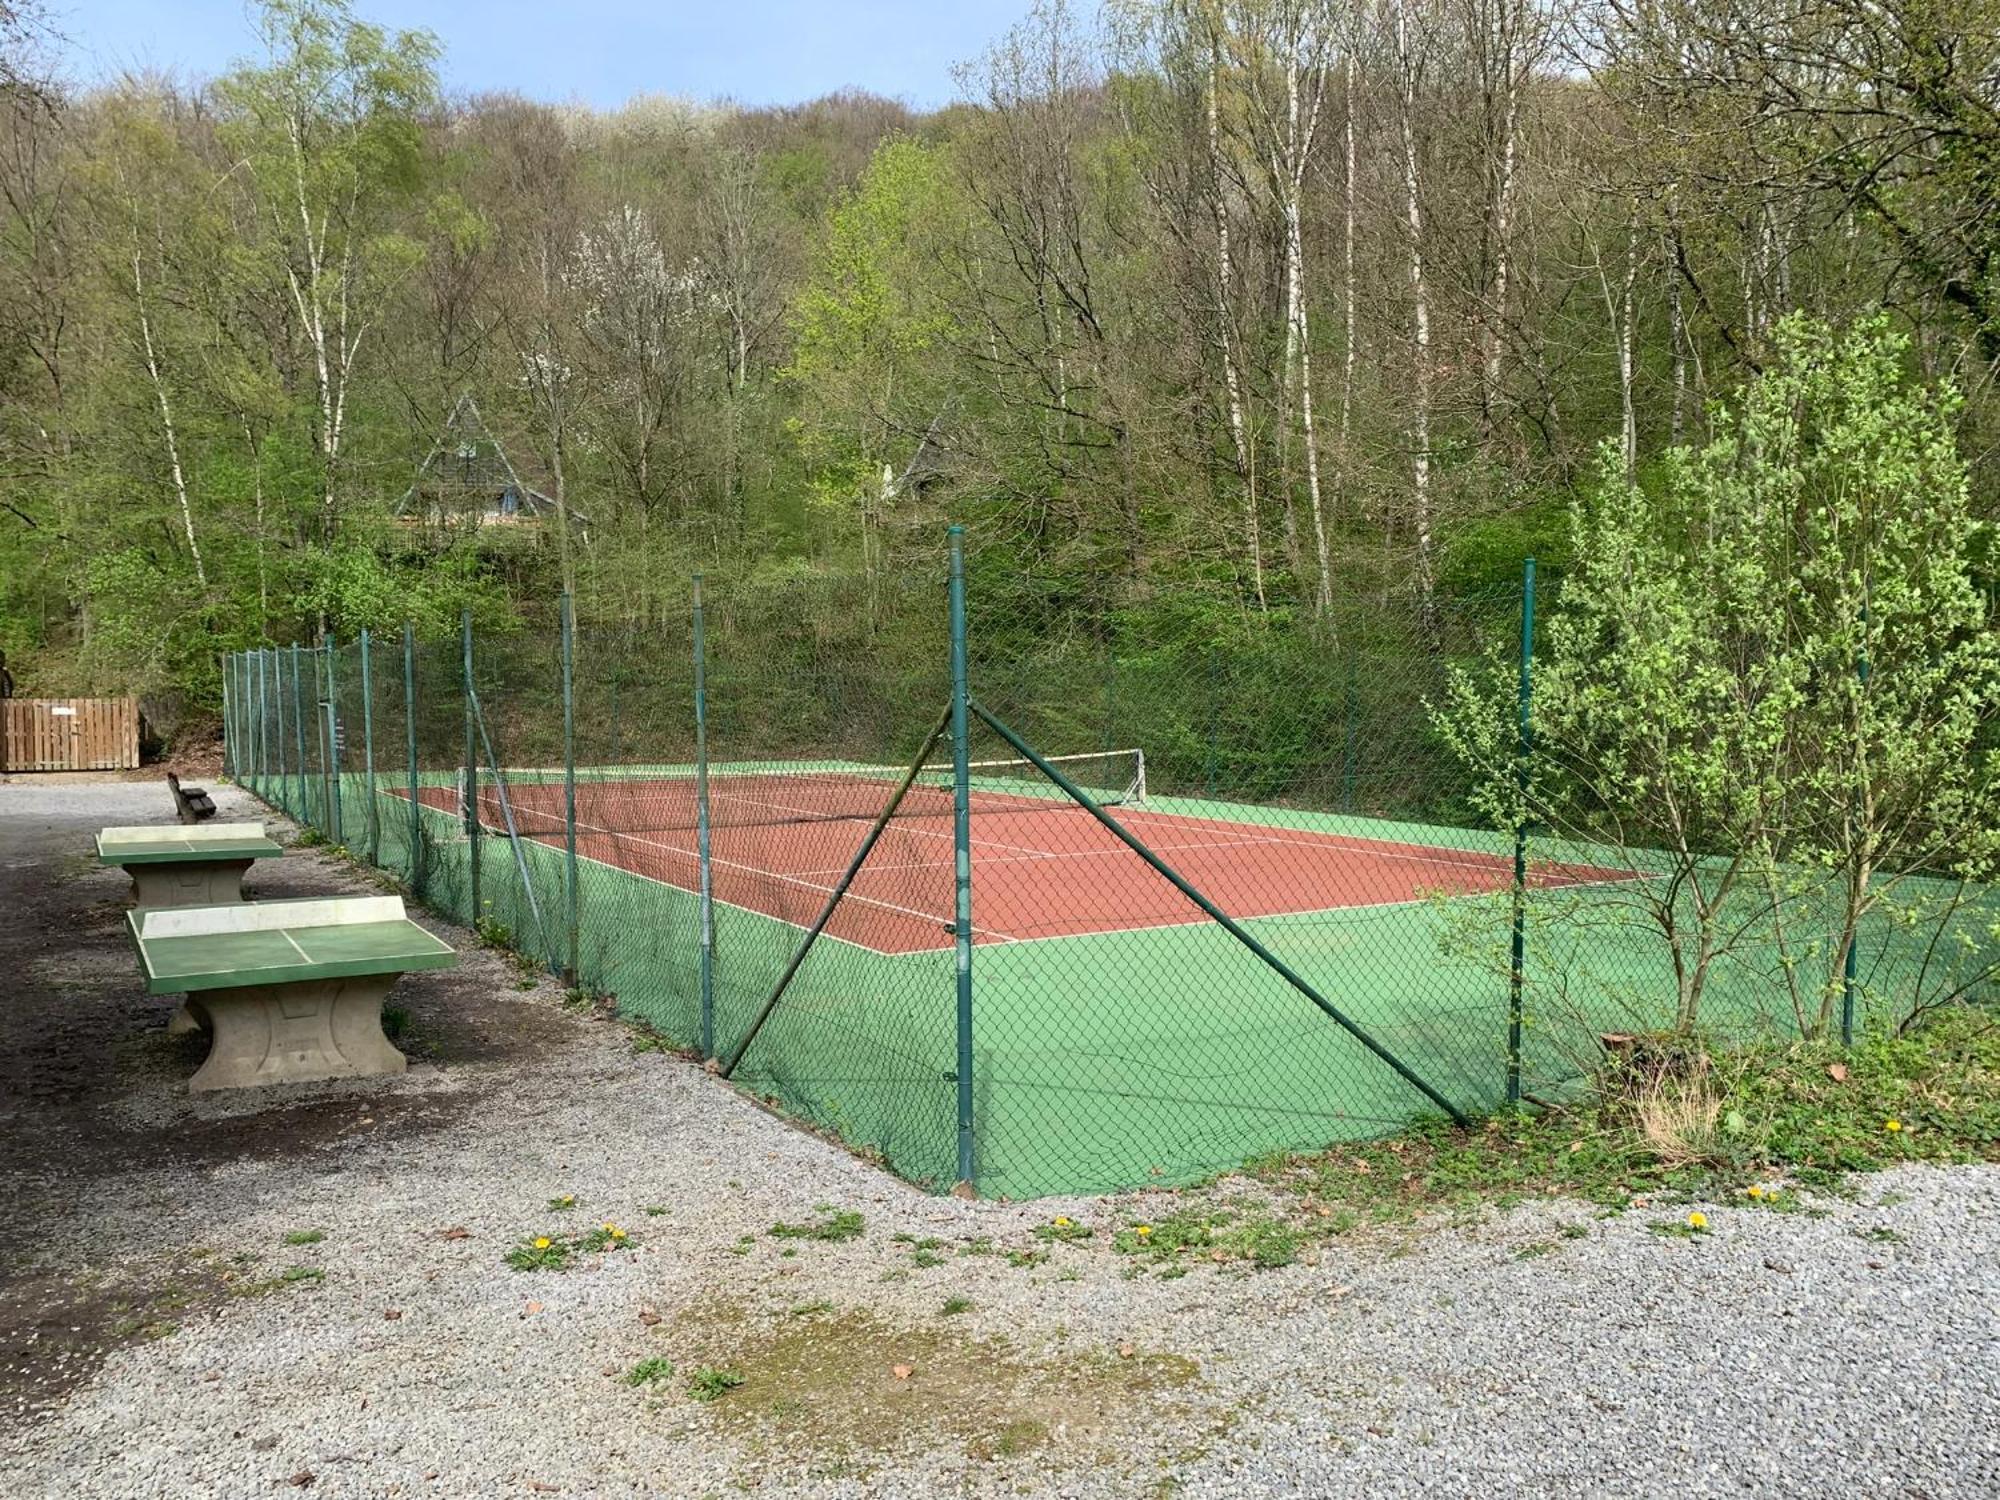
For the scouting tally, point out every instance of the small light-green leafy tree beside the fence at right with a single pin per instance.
(1769, 687)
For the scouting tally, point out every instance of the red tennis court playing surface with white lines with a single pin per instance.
(1037, 871)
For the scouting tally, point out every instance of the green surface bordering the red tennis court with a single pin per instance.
(1135, 1057)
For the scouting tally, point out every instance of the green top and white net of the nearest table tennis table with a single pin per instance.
(281, 943)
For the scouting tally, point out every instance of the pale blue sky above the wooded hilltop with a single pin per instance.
(595, 51)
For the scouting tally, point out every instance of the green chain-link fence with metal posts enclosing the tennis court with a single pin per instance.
(1057, 901)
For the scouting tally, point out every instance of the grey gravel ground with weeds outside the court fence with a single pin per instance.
(161, 1339)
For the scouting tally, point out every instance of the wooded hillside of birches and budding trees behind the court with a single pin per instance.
(1207, 319)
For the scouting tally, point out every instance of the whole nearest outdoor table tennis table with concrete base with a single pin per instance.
(289, 991)
